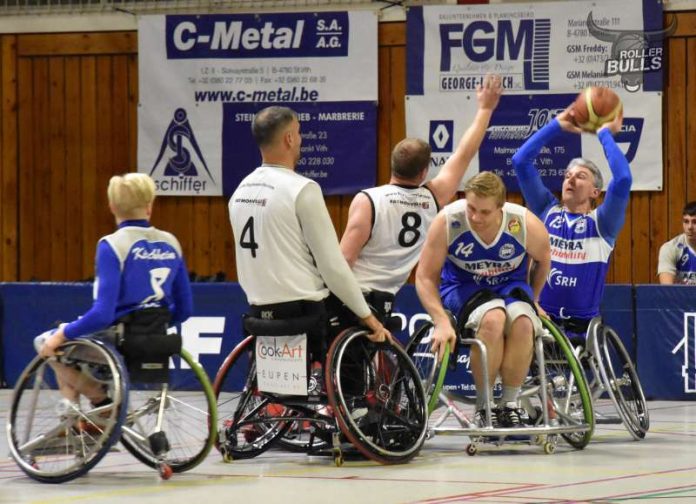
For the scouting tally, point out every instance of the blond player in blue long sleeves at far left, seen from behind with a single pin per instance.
(137, 267)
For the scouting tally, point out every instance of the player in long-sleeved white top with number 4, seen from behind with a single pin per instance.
(287, 252)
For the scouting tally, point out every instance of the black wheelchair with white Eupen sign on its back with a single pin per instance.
(374, 399)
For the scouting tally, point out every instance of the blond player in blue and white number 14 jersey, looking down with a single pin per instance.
(475, 263)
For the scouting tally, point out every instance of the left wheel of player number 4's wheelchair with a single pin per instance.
(244, 428)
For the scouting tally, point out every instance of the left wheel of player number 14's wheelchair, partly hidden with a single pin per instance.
(431, 372)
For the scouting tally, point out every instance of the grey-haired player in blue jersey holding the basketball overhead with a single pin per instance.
(582, 235)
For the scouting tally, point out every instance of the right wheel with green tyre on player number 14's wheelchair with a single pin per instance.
(567, 387)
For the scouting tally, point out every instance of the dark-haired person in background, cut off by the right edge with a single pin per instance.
(677, 263)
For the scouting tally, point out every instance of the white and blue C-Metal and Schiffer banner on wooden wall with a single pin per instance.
(203, 77)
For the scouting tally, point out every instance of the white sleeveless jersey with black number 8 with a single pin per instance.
(401, 218)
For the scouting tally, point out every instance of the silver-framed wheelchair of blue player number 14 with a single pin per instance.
(555, 396)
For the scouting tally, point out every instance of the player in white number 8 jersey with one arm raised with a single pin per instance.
(387, 224)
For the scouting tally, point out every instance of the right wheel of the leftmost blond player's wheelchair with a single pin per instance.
(188, 418)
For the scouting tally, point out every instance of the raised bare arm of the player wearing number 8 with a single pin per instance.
(445, 184)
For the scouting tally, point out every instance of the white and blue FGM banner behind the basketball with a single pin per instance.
(546, 54)
